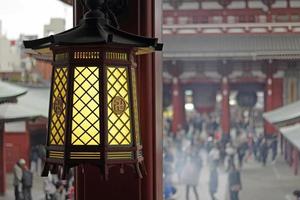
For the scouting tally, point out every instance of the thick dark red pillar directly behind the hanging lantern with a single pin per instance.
(142, 17)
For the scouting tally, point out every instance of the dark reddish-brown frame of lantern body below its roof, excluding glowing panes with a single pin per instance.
(103, 148)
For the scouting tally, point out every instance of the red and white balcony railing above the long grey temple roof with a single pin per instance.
(278, 20)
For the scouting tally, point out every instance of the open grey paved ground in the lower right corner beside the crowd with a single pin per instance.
(273, 182)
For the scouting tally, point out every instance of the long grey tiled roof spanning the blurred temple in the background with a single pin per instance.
(254, 46)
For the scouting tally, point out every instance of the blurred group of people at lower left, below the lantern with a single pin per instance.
(54, 187)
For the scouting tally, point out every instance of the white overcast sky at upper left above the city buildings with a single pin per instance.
(30, 16)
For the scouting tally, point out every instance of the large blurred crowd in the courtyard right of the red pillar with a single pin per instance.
(201, 141)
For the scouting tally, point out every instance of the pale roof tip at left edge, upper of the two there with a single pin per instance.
(9, 92)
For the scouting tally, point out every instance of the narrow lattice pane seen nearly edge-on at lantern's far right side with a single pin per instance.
(135, 107)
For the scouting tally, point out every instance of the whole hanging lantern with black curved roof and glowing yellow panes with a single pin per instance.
(93, 116)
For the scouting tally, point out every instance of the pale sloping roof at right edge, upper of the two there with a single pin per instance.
(287, 114)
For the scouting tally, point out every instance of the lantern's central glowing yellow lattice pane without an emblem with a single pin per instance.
(85, 111)
